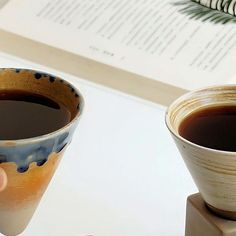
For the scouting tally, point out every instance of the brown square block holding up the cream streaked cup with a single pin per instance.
(200, 221)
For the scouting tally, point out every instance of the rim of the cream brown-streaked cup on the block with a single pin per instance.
(183, 97)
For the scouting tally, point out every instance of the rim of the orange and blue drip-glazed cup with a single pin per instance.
(57, 132)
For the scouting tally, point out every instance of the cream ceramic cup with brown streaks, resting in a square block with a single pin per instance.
(213, 171)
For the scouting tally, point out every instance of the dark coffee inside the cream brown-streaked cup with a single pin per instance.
(213, 127)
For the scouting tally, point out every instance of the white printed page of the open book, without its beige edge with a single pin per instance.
(147, 37)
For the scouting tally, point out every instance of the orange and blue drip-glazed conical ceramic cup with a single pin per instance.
(30, 163)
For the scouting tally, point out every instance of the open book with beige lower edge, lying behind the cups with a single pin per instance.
(144, 47)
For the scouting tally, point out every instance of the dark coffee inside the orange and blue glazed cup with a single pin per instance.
(26, 115)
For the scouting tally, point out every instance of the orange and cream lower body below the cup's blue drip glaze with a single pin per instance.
(20, 199)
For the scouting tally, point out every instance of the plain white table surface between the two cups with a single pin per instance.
(122, 174)
